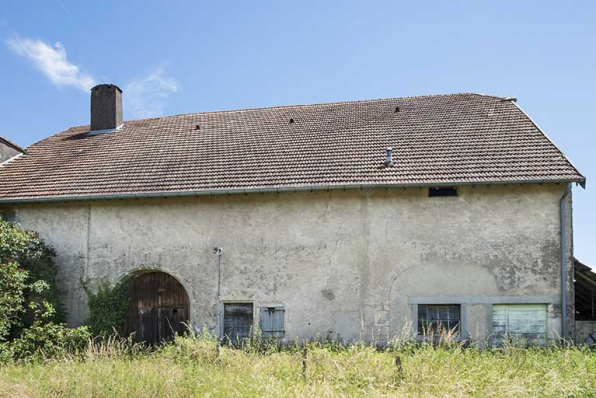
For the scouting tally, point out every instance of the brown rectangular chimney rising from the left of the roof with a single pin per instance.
(106, 107)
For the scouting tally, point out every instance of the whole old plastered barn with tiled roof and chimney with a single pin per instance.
(353, 220)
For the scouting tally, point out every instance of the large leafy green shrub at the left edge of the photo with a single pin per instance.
(31, 314)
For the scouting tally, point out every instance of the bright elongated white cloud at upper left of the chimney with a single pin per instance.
(52, 62)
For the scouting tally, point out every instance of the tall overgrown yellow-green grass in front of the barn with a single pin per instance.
(198, 366)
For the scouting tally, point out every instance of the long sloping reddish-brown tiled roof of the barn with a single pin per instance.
(441, 139)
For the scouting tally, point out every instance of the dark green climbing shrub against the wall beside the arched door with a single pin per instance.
(107, 309)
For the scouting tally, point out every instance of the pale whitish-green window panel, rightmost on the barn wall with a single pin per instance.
(522, 321)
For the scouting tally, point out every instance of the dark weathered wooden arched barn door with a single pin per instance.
(159, 307)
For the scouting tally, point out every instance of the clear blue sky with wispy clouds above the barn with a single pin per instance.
(175, 57)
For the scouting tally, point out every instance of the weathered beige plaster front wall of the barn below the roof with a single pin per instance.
(349, 263)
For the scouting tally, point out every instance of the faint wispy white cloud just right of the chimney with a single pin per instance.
(147, 97)
